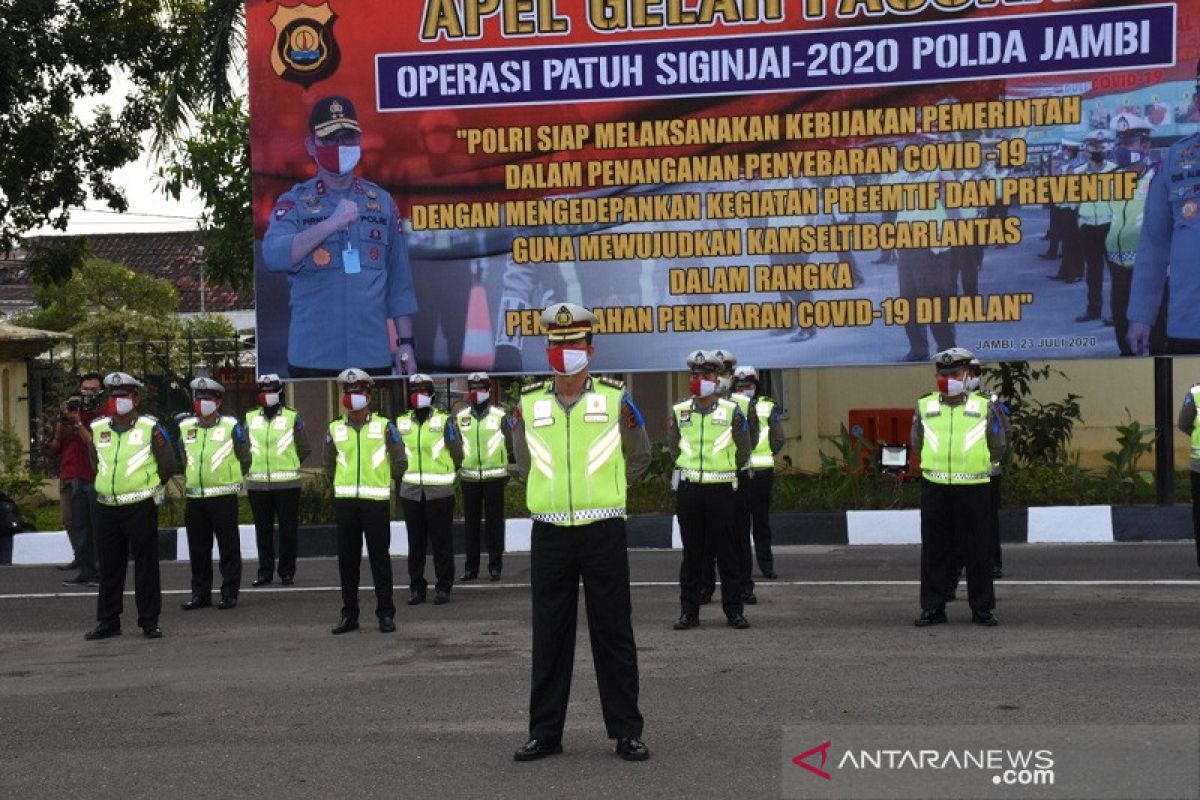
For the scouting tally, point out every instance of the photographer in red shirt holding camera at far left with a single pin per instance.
(77, 479)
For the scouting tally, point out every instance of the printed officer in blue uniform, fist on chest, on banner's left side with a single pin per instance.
(339, 240)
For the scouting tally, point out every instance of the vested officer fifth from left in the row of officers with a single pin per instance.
(428, 465)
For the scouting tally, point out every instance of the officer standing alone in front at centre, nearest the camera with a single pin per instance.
(579, 441)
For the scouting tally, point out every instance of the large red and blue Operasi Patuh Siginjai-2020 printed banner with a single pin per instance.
(805, 183)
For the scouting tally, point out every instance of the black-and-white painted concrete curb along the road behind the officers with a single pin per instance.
(1045, 525)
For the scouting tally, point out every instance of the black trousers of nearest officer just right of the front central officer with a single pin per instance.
(707, 516)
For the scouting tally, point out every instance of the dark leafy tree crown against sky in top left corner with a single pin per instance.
(58, 53)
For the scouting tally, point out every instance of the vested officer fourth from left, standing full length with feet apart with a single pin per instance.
(362, 453)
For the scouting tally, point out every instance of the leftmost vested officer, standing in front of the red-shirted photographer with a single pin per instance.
(134, 461)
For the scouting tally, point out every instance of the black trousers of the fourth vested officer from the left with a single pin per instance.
(358, 520)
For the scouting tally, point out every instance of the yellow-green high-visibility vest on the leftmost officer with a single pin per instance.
(127, 471)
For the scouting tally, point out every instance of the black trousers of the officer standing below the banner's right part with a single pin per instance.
(956, 520)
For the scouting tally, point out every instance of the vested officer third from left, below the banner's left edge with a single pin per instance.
(279, 444)
